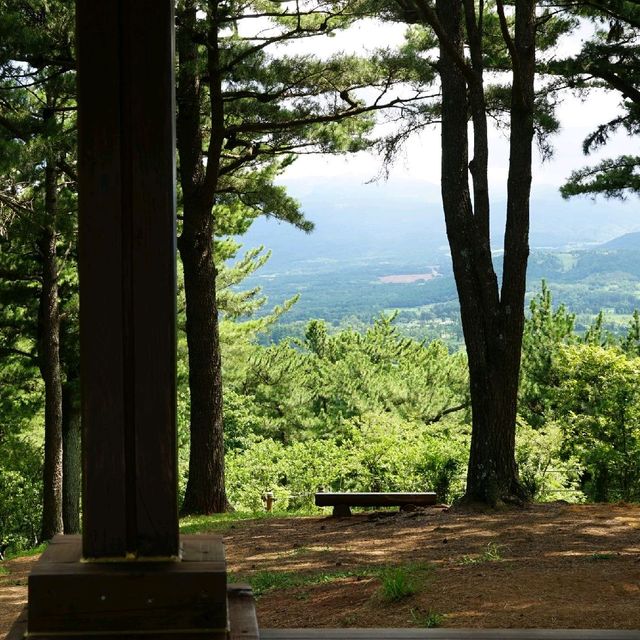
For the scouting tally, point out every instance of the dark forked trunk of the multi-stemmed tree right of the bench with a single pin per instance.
(492, 321)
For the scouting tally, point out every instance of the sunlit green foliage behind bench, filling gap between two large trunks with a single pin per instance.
(345, 411)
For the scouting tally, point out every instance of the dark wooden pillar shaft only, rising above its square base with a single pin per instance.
(127, 277)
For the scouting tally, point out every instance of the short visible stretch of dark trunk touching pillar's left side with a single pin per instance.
(71, 457)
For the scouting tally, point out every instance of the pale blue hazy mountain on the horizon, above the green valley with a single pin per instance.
(403, 223)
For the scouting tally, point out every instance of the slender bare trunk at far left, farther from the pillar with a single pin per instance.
(49, 356)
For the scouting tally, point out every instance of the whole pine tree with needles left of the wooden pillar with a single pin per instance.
(37, 203)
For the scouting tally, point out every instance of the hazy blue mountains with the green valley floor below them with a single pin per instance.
(588, 253)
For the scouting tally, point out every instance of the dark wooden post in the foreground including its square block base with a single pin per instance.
(131, 576)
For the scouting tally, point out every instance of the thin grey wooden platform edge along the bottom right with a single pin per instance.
(449, 634)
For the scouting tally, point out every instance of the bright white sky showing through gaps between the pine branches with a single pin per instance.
(421, 162)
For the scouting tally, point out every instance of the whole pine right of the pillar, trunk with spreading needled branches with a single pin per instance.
(244, 110)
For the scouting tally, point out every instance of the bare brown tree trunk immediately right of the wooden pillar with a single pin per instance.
(205, 492)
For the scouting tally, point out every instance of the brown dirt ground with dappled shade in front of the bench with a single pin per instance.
(554, 565)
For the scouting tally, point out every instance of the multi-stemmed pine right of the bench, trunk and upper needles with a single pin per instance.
(473, 39)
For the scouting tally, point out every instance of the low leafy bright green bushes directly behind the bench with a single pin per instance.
(373, 453)
